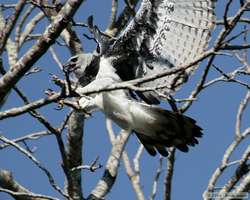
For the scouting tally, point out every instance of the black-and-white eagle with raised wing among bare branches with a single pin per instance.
(163, 35)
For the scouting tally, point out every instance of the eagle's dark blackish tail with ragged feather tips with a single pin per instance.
(170, 129)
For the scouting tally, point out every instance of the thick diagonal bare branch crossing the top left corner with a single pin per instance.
(37, 50)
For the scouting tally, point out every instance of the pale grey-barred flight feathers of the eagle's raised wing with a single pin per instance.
(183, 30)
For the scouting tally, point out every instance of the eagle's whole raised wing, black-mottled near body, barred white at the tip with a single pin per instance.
(165, 34)
